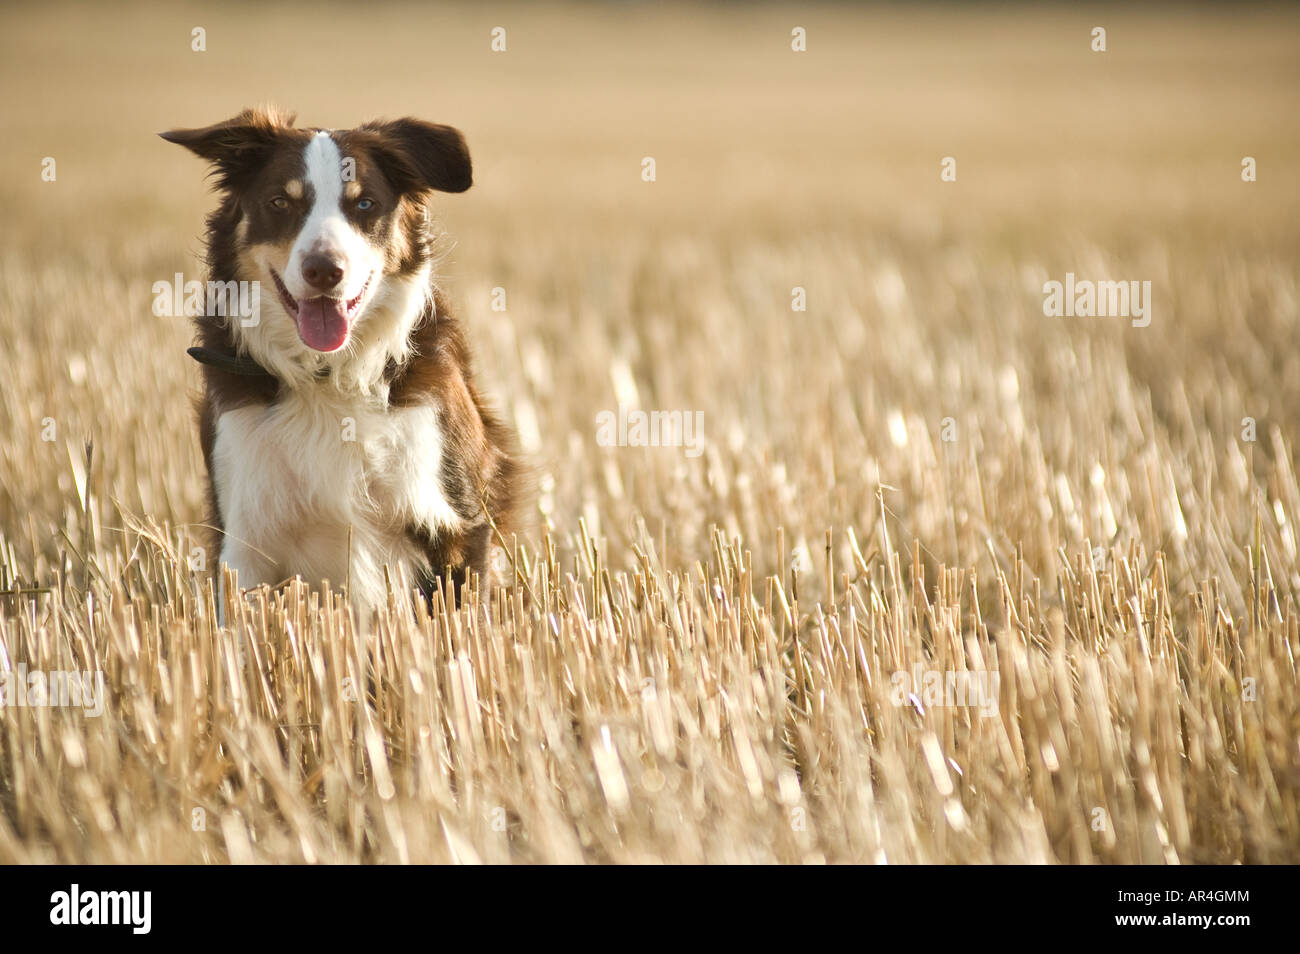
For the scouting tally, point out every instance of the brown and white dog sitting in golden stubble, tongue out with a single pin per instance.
(341, 427)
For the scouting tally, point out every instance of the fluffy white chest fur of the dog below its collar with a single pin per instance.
(328, 491)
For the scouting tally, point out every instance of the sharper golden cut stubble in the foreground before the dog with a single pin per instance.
(688, 717)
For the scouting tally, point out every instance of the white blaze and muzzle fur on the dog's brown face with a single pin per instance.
(327, 231)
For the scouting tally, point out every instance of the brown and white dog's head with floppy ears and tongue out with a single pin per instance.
(335, 227)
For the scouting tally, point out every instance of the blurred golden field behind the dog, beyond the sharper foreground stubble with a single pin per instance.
(775, 170)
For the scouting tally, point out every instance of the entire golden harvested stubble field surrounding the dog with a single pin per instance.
(696, 664)
